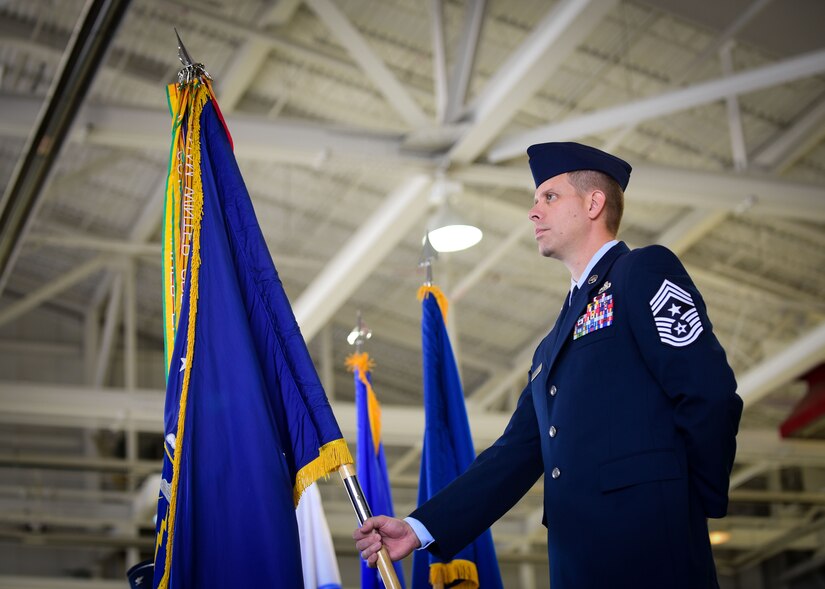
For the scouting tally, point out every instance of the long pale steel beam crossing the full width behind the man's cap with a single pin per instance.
(309, 145)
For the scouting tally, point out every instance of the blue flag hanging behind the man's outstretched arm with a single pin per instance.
(448, 451)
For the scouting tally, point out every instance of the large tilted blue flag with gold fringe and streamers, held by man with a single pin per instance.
(247, 424)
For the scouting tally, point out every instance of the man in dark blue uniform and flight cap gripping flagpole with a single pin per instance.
(630, 408)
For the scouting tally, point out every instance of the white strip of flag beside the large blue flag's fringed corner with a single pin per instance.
(317, 552)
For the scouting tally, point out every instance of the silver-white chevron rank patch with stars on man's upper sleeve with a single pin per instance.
(675, 315)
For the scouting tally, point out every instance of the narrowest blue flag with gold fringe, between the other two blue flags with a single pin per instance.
(371, 466)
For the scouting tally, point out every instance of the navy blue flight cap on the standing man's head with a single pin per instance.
(551, 159)
